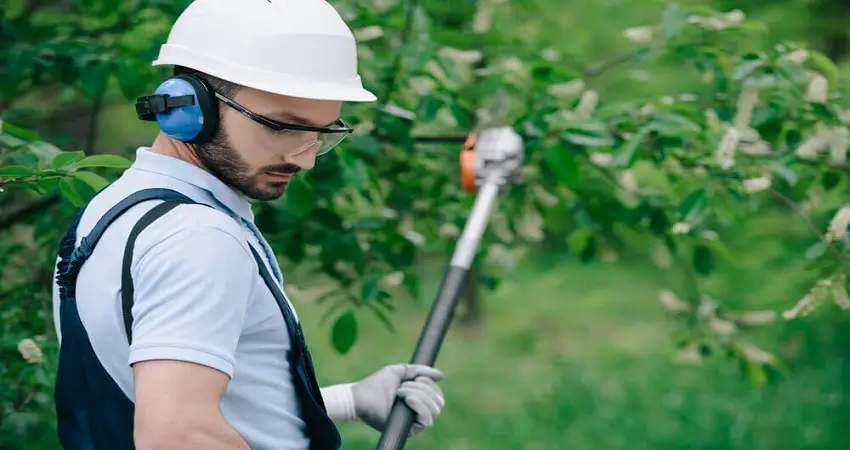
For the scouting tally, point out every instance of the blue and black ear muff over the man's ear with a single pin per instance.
(184, 107)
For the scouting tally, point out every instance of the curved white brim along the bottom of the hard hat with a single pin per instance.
(350, 90)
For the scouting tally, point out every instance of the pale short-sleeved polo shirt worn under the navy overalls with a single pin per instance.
(198, 297)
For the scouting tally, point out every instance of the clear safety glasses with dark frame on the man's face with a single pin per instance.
(326, 138)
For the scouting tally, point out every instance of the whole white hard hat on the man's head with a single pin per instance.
(299, 48)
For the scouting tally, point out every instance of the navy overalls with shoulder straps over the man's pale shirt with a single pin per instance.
(92, 411)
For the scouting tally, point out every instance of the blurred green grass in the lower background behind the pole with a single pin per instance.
(580, 357)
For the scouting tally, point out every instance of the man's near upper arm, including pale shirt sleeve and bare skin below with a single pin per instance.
(192, 292)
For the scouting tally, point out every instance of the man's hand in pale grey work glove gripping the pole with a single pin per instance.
(416, 384)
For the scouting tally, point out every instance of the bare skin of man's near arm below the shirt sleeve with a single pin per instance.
(177, 407)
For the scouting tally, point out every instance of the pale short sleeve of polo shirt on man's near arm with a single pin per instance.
(192, 291)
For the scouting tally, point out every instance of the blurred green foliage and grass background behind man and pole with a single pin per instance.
(671, 275)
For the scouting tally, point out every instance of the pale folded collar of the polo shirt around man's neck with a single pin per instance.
(226, 196)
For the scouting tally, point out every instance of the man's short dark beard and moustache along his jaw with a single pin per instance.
(222, 161)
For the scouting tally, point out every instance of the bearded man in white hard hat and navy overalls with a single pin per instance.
(175, 332)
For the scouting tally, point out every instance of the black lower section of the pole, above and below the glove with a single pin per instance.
(401, 416)
